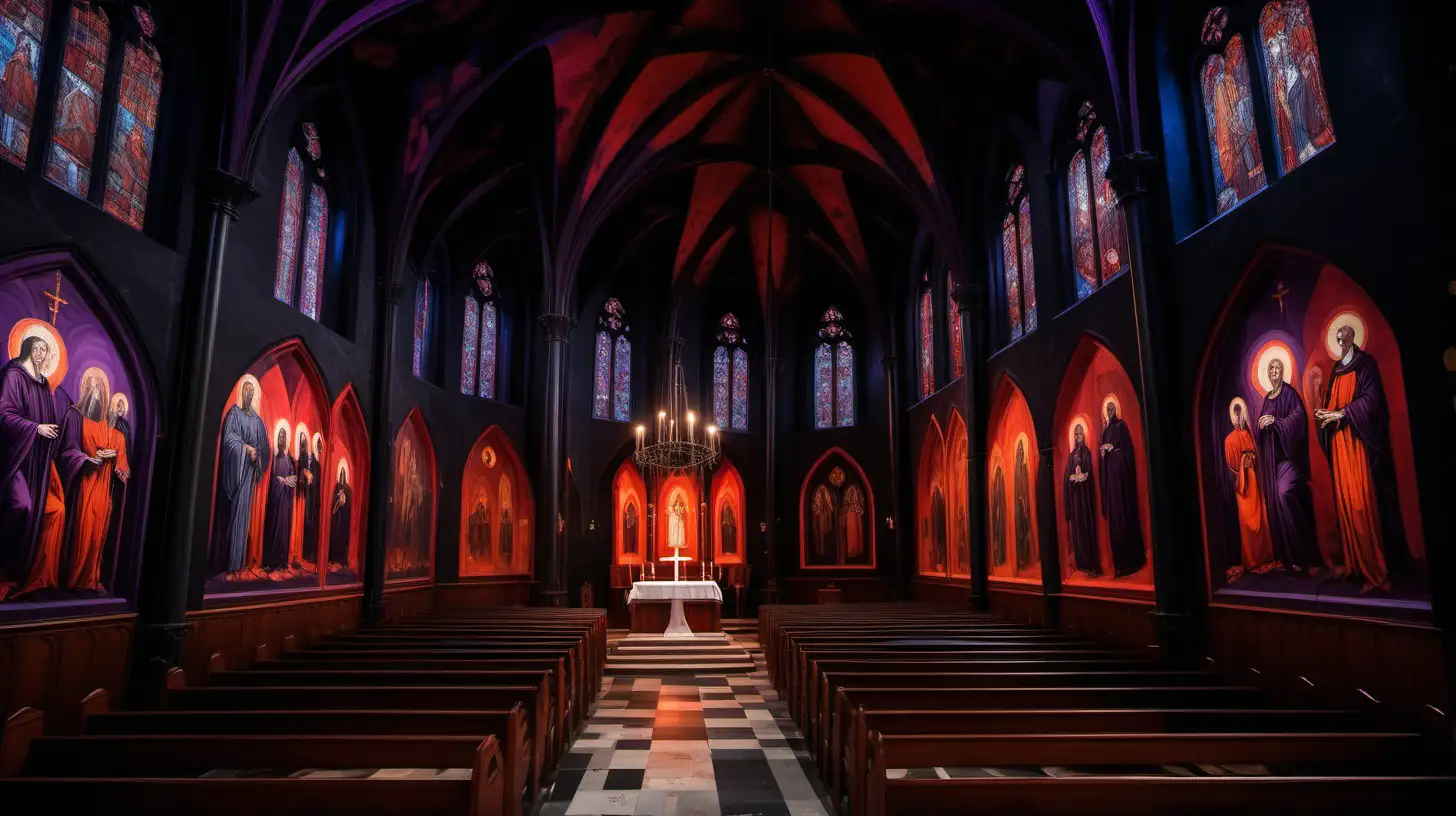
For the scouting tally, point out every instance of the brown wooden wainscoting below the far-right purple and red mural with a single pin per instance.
(1398, 665)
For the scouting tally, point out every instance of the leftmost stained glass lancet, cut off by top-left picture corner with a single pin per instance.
(23, 39)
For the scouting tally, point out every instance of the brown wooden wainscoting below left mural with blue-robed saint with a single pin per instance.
(238, 633)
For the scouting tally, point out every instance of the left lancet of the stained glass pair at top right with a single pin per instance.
(1234, 139)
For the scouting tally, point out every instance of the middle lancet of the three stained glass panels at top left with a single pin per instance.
(78, 101)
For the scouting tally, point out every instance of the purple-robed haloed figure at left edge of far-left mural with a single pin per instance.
(30, 438)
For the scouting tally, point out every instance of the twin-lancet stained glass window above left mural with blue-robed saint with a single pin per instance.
(304, 234)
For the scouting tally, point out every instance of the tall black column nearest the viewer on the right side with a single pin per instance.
(1173, 569)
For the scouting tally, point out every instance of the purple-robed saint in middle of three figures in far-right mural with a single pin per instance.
(1283, 474)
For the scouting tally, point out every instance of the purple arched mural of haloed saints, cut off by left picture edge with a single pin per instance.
(76, 442)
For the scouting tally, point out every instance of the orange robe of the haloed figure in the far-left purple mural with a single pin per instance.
(92, 501)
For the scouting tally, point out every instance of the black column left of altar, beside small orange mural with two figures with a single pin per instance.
(551, 560)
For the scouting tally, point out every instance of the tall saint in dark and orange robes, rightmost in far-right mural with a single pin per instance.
(1355, 432)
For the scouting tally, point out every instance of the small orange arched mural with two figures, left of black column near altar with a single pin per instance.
(496, 511)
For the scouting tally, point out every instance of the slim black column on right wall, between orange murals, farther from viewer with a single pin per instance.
(969, 298)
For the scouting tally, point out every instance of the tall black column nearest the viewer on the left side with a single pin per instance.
(165, 603)
